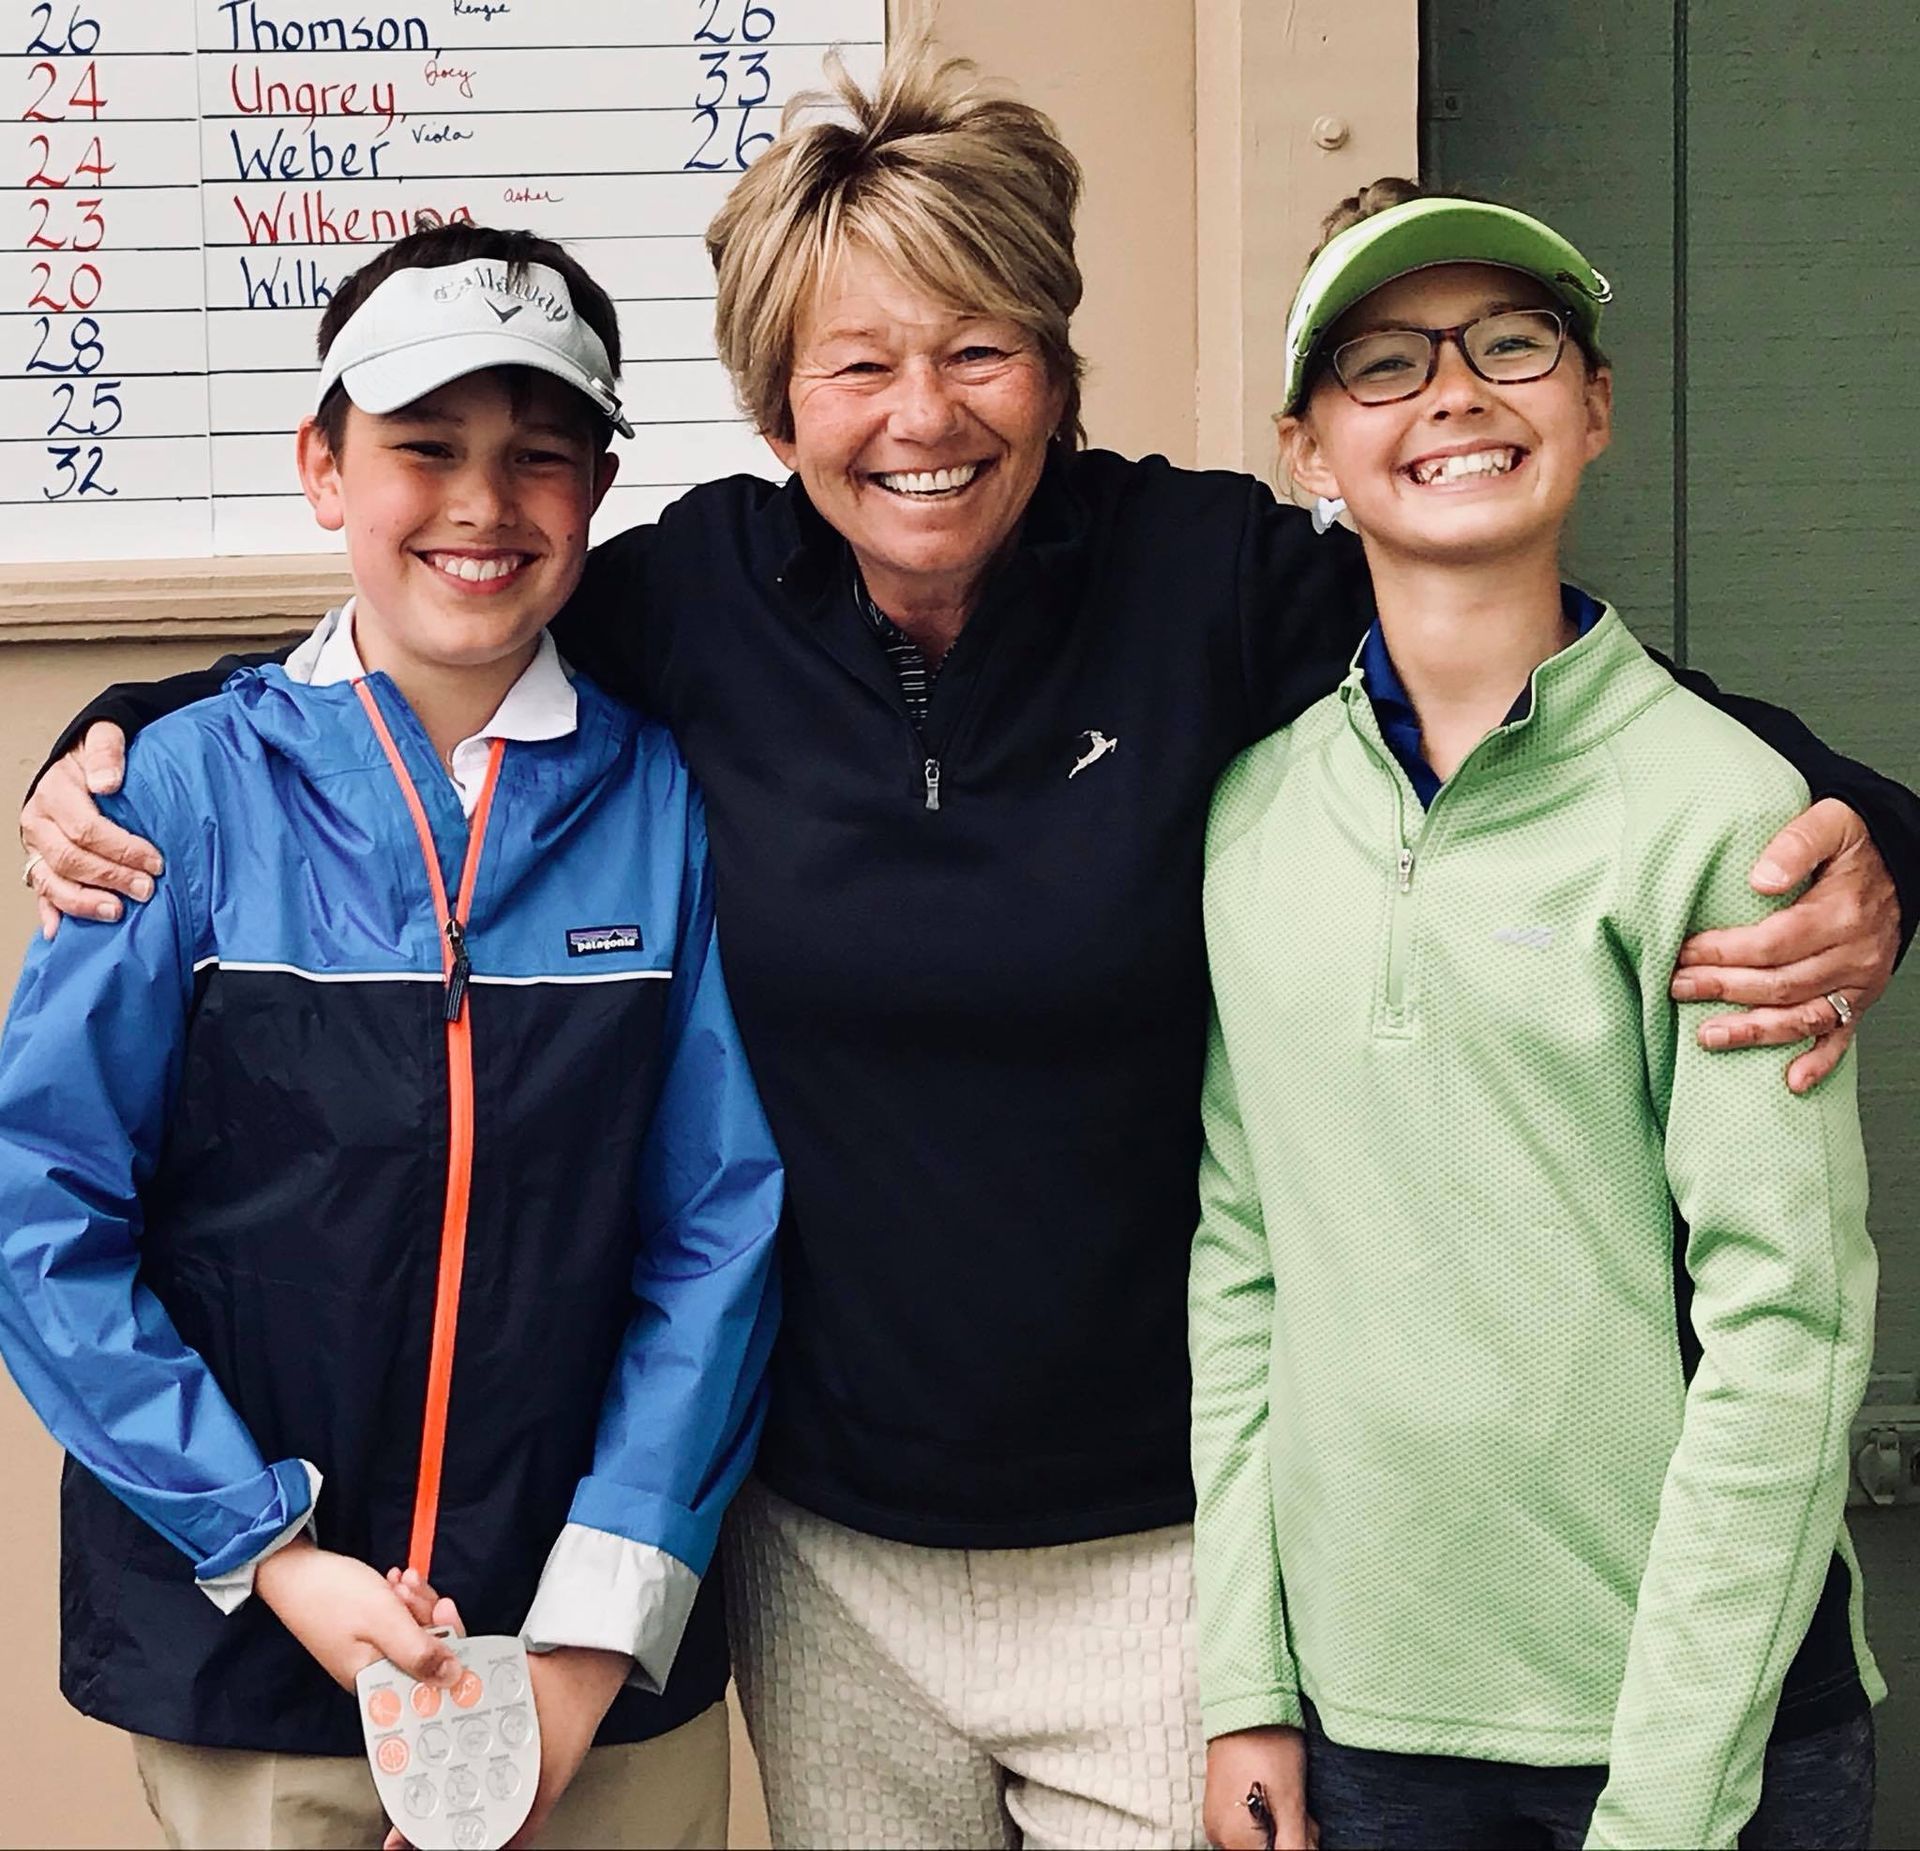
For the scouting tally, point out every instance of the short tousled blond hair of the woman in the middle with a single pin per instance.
(967, 195)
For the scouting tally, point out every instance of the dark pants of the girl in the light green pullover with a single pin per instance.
(1817, 1796)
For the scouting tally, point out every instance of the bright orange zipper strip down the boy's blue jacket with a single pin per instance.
(462, 1122)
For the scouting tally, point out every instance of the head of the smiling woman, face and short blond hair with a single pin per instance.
(911, 356)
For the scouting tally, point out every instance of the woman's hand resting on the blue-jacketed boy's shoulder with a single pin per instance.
(78, 863)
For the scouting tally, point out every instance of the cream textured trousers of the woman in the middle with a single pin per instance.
(982, 1698)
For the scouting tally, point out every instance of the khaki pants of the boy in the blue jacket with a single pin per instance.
(665, 1792)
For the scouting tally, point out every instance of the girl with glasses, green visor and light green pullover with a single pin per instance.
(1525, 1334)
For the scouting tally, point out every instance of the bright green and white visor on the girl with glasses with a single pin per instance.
(1420, 235)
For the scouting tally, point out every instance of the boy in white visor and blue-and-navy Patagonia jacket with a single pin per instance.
(395, 1188)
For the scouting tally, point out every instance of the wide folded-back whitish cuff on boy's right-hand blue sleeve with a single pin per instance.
(613, 1595)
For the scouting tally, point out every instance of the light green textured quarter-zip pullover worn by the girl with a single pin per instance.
(1454, 1483)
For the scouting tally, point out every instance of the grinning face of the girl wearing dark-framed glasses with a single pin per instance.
(1525, 443)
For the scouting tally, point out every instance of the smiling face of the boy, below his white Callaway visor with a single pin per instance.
(466, 514)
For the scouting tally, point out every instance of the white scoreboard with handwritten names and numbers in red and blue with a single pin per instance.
(187, 181)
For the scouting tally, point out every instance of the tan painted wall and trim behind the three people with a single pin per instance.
(1180, 233)
